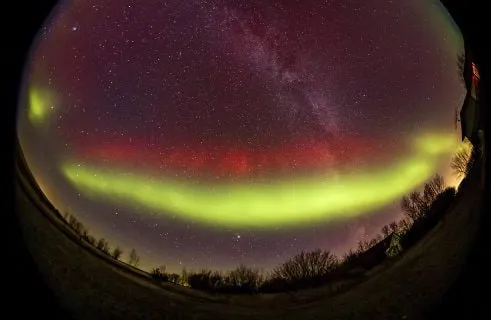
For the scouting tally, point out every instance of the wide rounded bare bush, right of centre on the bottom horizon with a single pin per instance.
(306, 266)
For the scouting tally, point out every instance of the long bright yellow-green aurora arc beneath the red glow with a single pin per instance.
(278, 204)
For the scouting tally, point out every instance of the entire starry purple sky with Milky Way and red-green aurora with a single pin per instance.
(207, 134)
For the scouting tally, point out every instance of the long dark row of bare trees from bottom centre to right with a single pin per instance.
(421, 211)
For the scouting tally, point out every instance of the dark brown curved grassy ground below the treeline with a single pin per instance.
(411, 288)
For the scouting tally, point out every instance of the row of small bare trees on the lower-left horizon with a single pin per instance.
(101, 244)
